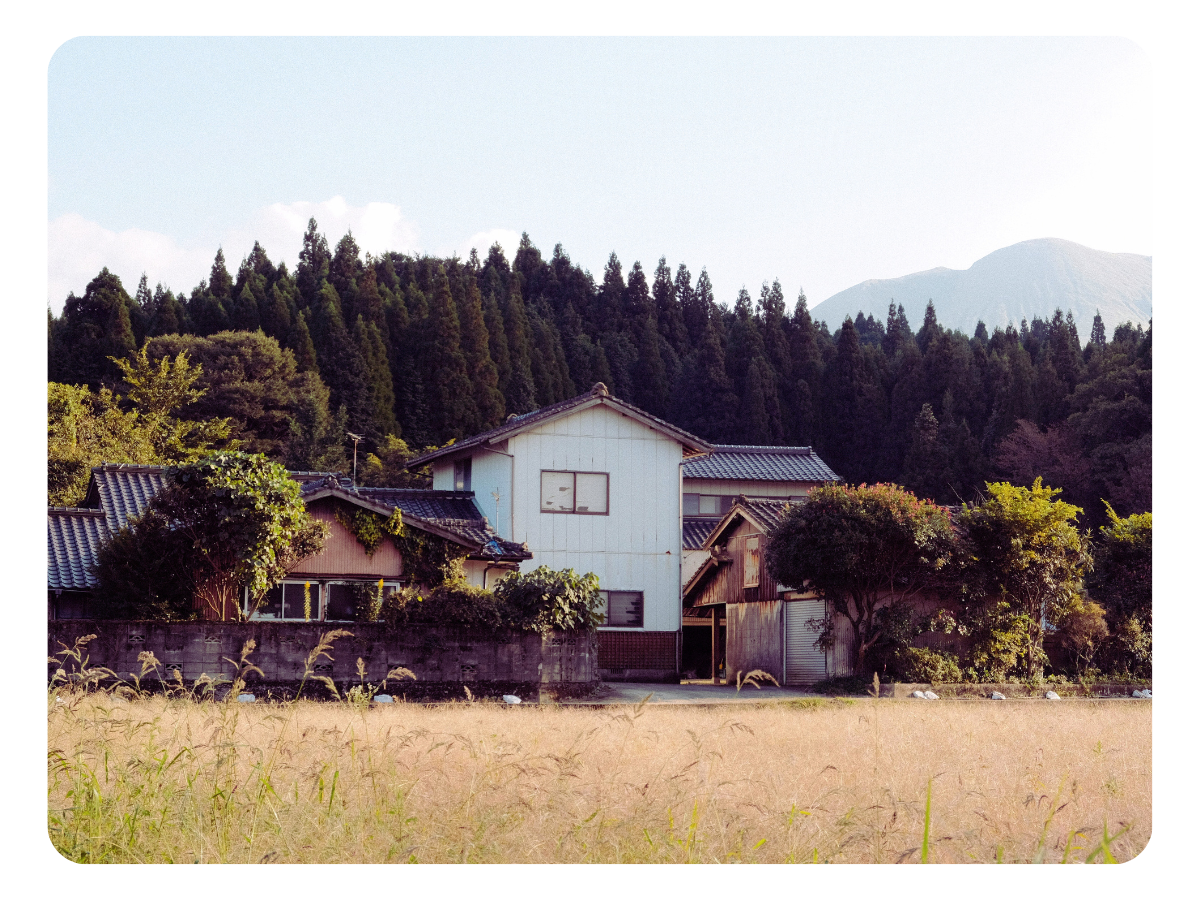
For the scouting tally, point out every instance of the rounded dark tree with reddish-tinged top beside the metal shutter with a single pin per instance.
(862, 549)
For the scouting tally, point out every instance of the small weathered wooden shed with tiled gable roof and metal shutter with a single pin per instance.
(767, 625)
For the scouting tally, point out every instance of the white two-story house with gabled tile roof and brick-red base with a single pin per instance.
(591, 484)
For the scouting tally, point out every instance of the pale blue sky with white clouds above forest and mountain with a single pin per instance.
(821, 163)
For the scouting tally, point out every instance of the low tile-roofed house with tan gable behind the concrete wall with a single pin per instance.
(323, 587)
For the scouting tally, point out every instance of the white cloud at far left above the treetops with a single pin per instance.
(76, 251)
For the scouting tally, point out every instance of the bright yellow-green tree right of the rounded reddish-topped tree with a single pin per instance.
(1025, 557)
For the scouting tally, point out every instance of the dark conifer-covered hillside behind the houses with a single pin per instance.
(427, 350)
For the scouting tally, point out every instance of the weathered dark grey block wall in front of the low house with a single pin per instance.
(443, 659)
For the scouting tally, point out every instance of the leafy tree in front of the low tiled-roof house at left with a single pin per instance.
(243, 524)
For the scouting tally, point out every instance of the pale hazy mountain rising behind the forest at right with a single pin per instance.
(1029, 279)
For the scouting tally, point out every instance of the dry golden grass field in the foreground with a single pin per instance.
(159, 781)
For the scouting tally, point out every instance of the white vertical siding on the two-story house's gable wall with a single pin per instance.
(638, 547)
